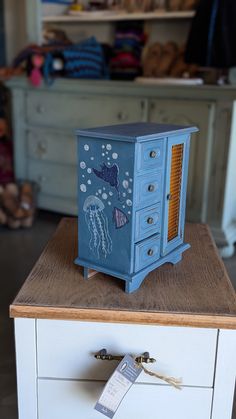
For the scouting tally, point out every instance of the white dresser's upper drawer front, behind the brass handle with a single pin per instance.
(66, 350)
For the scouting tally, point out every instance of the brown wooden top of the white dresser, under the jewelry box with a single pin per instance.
(196, 292)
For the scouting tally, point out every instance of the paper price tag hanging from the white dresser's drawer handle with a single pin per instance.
(122, 379)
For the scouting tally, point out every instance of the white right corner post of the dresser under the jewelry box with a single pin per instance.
(224, 386)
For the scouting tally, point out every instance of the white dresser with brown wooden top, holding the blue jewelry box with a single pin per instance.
(183, 315)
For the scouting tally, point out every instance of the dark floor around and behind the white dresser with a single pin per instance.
(18, 252)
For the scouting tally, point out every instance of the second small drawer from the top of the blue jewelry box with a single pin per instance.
(148, 189)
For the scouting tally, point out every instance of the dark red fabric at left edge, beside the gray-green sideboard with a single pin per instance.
(6, 162)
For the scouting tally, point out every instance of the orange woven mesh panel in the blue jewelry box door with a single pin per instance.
(175, 190)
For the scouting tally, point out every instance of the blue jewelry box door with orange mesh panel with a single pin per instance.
(175, 192)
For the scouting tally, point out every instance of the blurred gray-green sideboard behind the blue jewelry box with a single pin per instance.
(45, 120)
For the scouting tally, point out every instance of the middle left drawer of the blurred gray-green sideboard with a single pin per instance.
(49, 145)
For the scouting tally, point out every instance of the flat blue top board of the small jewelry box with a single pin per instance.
(136, 132)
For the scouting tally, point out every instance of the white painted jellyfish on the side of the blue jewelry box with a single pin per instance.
(100, 242)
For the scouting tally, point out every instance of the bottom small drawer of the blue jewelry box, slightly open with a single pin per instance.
(146, 252)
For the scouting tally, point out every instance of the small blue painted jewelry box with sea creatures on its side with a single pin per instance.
(132, 183)
